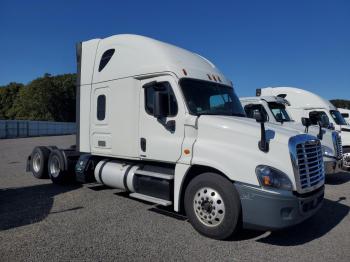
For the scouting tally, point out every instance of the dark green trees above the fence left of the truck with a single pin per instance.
(47, 98)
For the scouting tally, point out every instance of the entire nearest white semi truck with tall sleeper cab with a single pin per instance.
(165, 125)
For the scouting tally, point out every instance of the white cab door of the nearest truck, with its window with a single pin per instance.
(161, 139)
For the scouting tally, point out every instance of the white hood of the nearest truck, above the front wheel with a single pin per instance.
(230, 144)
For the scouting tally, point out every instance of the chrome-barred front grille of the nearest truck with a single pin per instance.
(309, 164)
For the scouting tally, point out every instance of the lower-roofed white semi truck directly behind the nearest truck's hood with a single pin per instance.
(275, 109)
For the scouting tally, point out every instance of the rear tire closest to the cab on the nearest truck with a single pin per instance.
(57, 168)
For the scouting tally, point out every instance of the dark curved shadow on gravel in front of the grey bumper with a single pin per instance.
(328, 217)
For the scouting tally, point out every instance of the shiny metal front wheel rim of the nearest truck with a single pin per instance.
(209, 207)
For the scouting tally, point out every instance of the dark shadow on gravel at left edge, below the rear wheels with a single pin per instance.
(29, 205)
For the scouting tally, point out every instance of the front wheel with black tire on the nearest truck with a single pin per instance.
(213, 206)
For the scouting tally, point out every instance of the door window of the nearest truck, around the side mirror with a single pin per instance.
(164, 87)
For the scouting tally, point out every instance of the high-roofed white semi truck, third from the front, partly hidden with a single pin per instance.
(306, 104)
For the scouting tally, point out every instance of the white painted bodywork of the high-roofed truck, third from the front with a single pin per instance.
(303, 102)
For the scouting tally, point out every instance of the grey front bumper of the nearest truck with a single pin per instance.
(269, 211)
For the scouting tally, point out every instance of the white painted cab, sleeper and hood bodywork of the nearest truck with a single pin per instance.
(228, 144)
